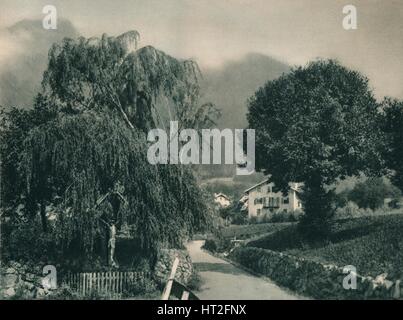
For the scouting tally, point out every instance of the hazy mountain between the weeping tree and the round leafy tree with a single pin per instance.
(230, 86)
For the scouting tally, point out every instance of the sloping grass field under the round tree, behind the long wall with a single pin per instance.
(374, 245)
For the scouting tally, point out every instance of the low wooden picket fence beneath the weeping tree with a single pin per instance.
(111, 282)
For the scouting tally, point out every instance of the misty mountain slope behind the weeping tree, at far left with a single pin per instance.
(21, 75)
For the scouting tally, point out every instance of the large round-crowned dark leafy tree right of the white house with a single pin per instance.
(315, 125)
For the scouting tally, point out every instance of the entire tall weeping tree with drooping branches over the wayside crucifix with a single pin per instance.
(105, 95)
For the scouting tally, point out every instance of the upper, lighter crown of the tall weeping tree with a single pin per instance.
(142, 85)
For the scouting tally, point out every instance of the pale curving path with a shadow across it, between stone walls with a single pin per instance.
(224, 281)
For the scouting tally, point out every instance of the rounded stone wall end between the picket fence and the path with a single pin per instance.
(165, 261)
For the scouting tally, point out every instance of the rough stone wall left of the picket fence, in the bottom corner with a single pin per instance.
(19, 283)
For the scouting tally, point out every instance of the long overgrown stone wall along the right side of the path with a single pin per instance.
(314, 279)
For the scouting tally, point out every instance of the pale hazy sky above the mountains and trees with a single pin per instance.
(214, 32)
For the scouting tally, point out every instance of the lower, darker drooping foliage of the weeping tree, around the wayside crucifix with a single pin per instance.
(164, 202)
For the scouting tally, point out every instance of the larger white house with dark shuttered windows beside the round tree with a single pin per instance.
(262, 199)
